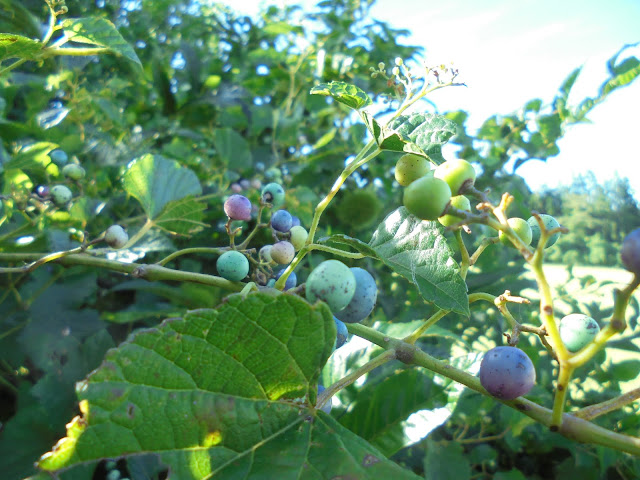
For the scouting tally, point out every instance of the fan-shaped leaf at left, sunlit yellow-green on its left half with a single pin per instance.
(156, 181)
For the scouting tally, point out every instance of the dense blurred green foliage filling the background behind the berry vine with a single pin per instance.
(227, 97)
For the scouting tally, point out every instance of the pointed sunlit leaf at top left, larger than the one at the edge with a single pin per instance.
(100, 32)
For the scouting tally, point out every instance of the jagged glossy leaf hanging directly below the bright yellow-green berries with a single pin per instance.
(418, 251)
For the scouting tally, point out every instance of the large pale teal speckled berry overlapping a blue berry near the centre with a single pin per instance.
(333, 283)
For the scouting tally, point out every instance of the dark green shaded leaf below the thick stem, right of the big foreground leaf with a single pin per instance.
(380, 409)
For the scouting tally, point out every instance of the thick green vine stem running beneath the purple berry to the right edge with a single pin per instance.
(572, 426)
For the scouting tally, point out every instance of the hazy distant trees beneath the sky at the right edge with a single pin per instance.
(597, 215)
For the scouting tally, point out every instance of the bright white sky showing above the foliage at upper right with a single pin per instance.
(508, 52)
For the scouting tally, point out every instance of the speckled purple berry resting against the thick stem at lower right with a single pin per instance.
(507, 373)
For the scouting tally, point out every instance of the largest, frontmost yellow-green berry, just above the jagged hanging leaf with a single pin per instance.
(427, 197)
